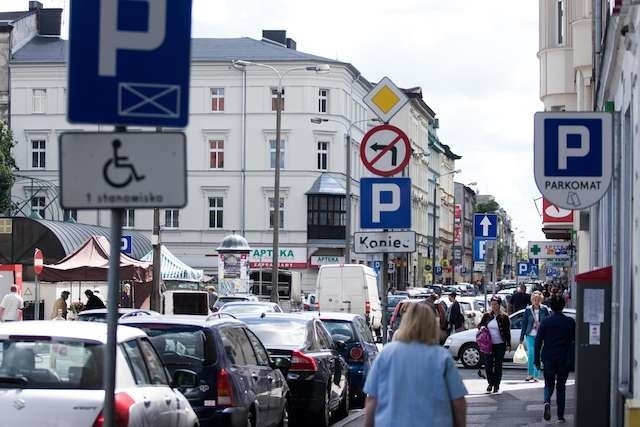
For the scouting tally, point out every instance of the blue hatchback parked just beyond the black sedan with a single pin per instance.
(357, 346)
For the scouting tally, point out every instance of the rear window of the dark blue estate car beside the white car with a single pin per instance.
(177, 345)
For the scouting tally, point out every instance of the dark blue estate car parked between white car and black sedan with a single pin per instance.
(239, 385)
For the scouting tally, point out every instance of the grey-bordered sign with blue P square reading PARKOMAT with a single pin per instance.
(573, 157)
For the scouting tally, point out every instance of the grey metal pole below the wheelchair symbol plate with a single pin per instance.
(112, 315)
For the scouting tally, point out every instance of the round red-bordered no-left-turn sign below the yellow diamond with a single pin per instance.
(385, 150)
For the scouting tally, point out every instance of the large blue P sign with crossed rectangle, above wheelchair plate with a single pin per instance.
(129, 62)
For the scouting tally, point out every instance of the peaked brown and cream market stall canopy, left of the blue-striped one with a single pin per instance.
(90, 263)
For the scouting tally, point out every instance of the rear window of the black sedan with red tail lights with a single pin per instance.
(290, 333)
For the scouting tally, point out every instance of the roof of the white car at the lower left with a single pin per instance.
(84, 331)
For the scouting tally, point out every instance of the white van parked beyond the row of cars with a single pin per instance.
(350, 288)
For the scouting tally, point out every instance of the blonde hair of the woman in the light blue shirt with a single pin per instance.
(419, 323)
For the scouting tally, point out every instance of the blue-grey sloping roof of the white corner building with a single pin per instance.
(54, 49)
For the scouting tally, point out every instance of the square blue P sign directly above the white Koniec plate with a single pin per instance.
(385, 203)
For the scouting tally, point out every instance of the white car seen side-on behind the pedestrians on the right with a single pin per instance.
(463, 347)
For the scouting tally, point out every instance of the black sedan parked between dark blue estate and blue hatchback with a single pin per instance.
(317, 376)
